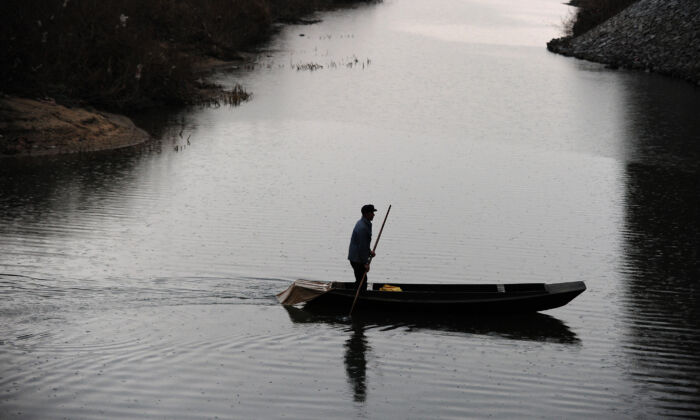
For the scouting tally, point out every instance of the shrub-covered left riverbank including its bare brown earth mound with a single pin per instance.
(65, 63)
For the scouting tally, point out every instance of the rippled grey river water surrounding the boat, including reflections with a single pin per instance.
(140, 283)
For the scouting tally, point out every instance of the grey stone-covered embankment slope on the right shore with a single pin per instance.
(662, 36)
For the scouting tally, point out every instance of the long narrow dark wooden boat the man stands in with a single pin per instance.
(432, 298)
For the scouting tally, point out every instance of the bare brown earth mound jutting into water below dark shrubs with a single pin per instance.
(31, 127)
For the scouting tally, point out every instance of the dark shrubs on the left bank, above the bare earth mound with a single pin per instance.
(126, 54)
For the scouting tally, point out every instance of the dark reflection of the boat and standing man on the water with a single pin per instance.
(529, 327)
